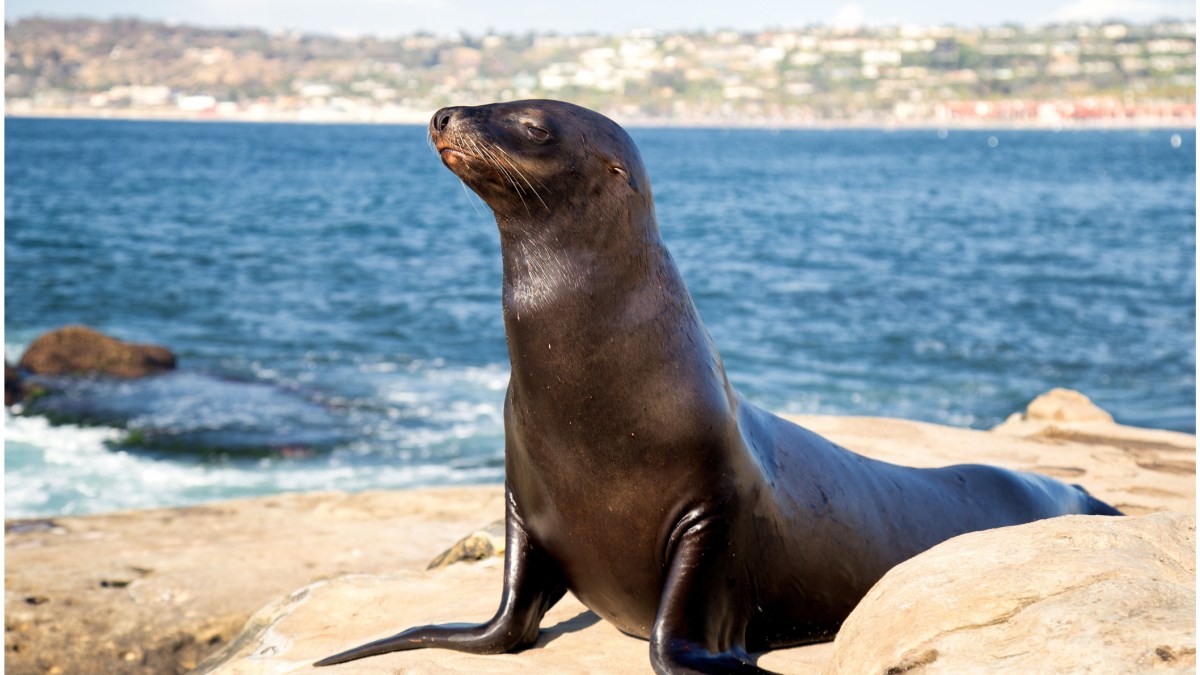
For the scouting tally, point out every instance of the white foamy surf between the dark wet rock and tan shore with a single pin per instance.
(443, 427)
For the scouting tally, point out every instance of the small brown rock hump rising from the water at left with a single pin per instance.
(79, 350)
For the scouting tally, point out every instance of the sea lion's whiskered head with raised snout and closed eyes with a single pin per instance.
(537, 159)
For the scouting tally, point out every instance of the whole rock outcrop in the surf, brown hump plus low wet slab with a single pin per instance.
(82, 377)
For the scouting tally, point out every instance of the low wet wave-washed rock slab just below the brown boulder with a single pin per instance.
(194, 414)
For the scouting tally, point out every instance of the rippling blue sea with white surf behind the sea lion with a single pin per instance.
(333, 292)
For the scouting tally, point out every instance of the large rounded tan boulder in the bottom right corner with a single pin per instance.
(1069, 595)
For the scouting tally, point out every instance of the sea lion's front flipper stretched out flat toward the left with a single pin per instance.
(532, 586)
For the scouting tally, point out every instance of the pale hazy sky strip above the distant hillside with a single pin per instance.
(392, 17)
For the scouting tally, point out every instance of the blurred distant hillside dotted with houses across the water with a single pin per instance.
(1113, 75)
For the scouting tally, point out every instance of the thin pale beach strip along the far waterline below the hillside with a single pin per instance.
(422, 118)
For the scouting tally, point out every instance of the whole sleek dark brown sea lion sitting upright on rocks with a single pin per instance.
(635, 476)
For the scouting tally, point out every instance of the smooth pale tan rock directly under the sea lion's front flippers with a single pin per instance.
(333, 616)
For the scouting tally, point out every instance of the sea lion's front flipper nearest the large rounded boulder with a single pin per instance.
(703, 614)
